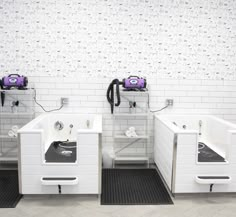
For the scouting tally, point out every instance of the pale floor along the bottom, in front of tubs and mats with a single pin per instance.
(213, 205)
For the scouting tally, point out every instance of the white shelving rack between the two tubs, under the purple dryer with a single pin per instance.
(125, 116)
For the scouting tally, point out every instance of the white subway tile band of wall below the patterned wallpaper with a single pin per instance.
(202, 98)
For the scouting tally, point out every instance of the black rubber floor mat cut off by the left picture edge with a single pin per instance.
(9, 190)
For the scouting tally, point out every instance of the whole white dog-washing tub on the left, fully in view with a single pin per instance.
(60, 153)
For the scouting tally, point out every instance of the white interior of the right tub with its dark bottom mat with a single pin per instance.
(212, 135)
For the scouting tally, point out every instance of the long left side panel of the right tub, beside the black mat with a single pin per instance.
(163, 150)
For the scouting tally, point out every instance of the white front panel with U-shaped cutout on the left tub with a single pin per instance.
(33, 169)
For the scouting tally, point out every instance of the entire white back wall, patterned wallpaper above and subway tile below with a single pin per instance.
(186, 49)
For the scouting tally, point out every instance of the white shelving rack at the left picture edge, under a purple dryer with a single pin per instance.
(17, 110)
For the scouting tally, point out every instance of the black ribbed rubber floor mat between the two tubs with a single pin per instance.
(133, 187)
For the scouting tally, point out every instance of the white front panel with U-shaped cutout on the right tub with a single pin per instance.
(187, 168)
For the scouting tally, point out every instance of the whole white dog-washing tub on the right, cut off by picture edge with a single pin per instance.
(196, 153)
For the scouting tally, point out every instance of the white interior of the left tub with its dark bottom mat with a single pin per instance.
(66, 151)
